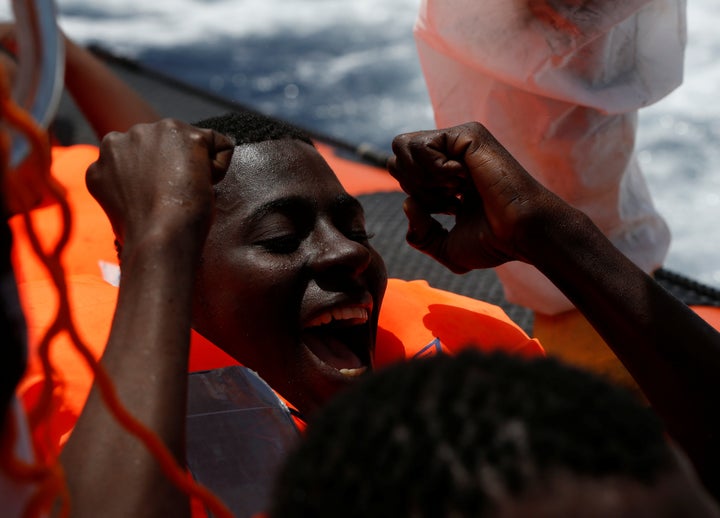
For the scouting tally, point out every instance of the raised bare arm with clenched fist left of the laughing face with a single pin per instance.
(155, 184)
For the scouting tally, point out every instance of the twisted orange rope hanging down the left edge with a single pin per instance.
(50, 478)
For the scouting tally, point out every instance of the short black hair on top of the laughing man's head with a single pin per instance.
(249, 127)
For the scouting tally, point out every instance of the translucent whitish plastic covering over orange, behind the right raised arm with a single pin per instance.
(559, 83)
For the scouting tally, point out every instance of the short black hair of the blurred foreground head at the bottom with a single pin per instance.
(424, 438)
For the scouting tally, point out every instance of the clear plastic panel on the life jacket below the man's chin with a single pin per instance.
(238, 434)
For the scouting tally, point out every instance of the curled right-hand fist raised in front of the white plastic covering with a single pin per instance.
(499, 208)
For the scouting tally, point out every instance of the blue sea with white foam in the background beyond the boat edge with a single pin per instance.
(348, 68)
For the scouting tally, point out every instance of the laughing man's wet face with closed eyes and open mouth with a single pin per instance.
(289, 284)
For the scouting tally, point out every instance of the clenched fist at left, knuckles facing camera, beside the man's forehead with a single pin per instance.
(156, 180)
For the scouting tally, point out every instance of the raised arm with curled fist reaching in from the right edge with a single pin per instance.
(502, 214)
